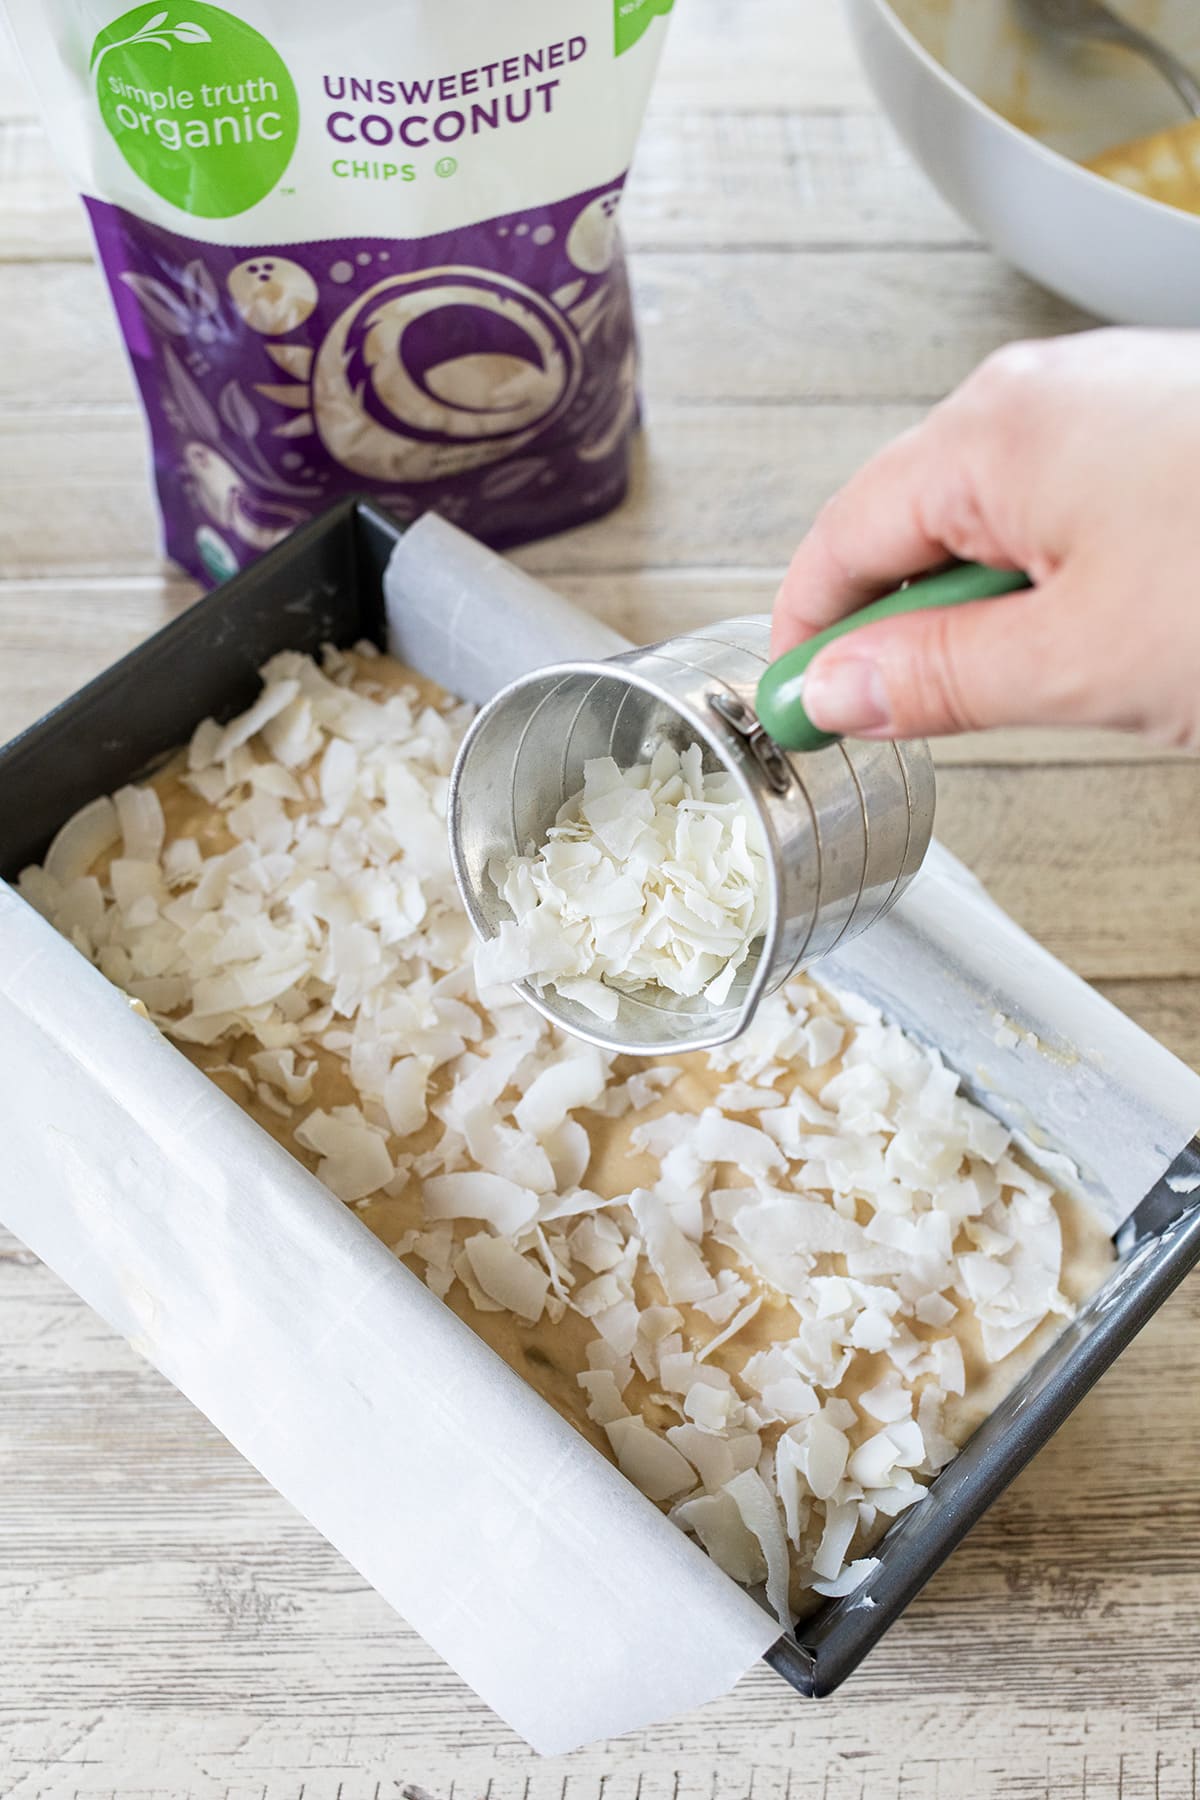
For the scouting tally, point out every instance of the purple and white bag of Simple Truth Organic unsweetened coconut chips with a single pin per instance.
(361, 247)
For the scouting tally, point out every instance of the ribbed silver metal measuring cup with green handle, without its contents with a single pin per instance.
(846, 823)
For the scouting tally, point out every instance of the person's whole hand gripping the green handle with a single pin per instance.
(1075, 460)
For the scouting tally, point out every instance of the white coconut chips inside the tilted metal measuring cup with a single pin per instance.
(649, 877)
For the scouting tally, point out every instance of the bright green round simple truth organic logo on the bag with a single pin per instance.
(201, 105)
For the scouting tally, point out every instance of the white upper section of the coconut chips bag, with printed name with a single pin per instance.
(262, 109)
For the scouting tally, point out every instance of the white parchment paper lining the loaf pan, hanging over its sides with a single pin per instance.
(564, 1597)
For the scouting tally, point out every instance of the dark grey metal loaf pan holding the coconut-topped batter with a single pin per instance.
(327, 586)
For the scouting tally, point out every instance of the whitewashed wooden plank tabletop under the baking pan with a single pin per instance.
(170, 1630)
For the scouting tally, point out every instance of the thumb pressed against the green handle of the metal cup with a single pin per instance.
(1008, 661)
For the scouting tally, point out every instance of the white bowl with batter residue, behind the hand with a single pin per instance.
(949, 71)
